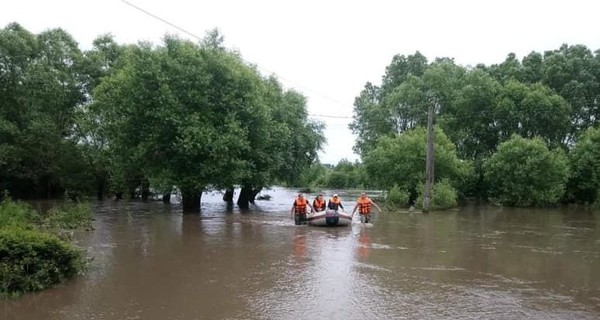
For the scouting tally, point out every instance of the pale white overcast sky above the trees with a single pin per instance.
(329, 49)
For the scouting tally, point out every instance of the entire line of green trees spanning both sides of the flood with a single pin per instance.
(131, 120)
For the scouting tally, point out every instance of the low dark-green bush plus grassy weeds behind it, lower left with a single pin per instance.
(31, 258)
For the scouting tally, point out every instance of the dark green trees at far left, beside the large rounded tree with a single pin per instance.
(41, 86)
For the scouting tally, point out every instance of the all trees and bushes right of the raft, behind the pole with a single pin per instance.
(522, 132)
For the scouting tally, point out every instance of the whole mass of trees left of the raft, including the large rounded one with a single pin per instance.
(126, 120)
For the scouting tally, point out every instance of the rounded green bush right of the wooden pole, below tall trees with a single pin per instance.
(525, 173)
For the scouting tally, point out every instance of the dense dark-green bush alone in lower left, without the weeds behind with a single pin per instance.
(32, 260)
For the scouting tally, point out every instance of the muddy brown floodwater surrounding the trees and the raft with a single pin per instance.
(152, 262)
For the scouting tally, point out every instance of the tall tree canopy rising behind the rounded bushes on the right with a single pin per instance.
(552, 96)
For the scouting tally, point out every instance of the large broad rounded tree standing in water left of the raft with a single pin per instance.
(197, 116)
